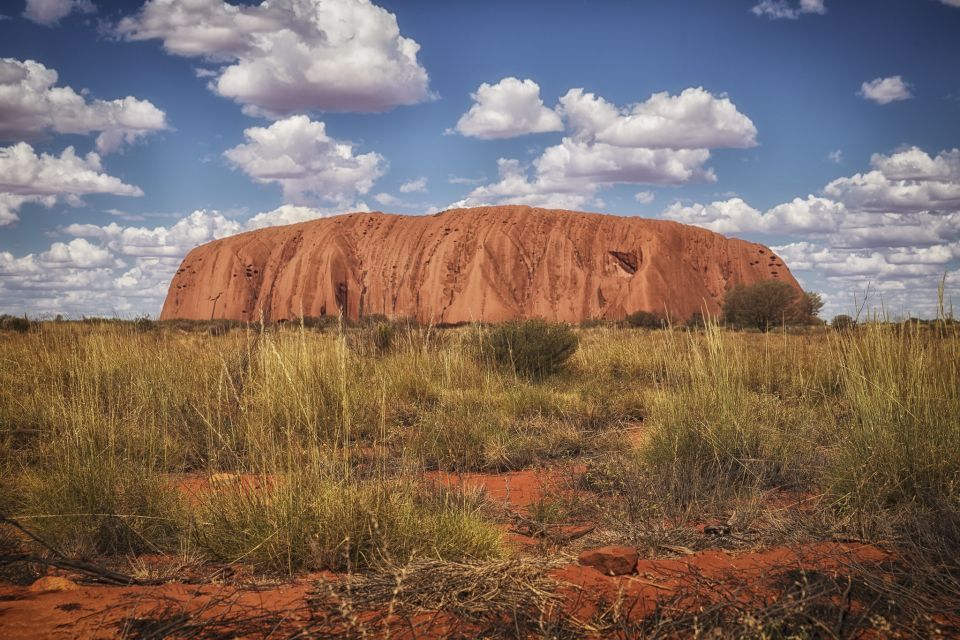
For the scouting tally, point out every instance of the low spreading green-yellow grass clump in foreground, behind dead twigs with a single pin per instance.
(312, 521)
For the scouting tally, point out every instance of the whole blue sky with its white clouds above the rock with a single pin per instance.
(826, 129)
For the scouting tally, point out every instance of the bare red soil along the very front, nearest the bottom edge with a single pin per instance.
(99, 611)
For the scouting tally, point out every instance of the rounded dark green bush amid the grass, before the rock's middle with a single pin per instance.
(532, 348)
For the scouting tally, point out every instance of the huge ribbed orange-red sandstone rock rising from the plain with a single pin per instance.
(464, 265)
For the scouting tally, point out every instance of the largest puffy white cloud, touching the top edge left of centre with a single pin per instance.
(284, 56)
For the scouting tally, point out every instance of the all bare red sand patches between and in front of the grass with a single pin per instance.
(73, 610)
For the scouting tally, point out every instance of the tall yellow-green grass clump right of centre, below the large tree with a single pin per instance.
(710, 429)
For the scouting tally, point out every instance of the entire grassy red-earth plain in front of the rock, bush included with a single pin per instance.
(319, 479)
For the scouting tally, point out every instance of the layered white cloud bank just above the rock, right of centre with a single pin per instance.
(665, 140)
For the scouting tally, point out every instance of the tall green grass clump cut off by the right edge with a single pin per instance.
(897, 452)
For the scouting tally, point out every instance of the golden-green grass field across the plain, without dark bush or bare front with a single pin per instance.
(101, 424)
